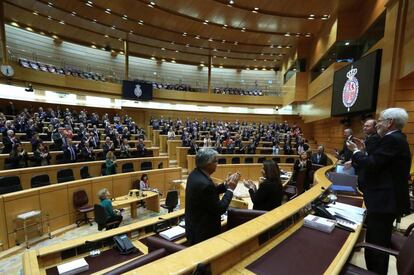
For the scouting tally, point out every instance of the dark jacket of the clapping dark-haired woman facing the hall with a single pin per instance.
(268, 196)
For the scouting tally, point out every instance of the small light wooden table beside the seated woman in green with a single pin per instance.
(152, 202)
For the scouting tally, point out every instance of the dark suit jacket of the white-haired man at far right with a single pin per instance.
(386, 175)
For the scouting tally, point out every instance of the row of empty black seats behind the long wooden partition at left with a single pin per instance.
(10, 184)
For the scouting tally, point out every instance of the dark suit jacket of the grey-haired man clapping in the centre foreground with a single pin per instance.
(203, 207)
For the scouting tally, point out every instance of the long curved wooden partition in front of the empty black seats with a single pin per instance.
(56, 200)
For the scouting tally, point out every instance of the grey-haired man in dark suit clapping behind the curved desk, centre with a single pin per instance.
(203, 207)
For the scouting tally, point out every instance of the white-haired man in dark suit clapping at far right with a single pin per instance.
(386, 183)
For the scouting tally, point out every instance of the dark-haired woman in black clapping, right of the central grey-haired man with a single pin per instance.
(270, 192)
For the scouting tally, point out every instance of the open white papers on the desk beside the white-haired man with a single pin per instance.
(347, 215)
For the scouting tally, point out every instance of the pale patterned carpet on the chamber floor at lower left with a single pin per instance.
(13, 264)
